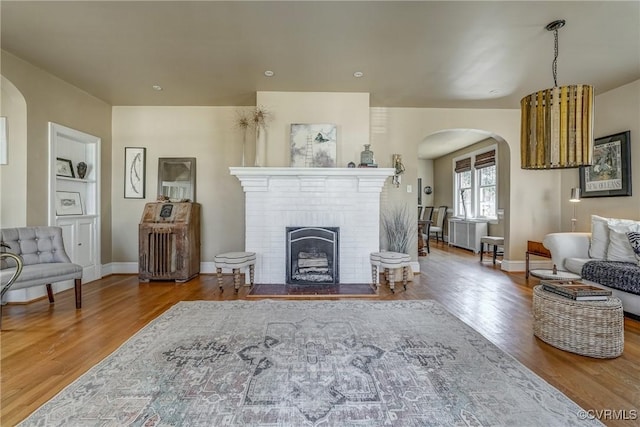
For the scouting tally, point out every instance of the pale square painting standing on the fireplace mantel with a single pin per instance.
(313, 145)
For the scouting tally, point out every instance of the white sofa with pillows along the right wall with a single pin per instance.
(571, 251)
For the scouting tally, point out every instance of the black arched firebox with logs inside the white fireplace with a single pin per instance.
(312, 255)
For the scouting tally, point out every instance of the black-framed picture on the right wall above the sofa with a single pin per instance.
(610, 172)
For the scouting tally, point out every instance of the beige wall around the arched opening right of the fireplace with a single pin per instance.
(533, 196)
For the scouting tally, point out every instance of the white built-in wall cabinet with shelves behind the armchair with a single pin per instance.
(74, 201)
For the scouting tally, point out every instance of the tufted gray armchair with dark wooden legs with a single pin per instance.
(44, 260)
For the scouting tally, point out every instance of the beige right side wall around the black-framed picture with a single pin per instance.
(615, 111)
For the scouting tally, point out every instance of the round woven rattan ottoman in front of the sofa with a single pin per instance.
(589, 328)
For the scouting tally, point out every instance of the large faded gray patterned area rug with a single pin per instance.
(308, 363)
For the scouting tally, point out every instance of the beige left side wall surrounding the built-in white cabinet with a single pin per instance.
(49, 99)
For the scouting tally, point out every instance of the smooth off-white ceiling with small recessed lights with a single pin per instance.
(450, 54)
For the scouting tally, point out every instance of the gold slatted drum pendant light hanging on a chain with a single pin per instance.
(557, 124)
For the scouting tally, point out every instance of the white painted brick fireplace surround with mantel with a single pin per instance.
(277, 198)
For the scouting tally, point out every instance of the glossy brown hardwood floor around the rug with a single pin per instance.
(45, 347)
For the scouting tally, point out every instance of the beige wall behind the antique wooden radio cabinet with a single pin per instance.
(207, 133)
